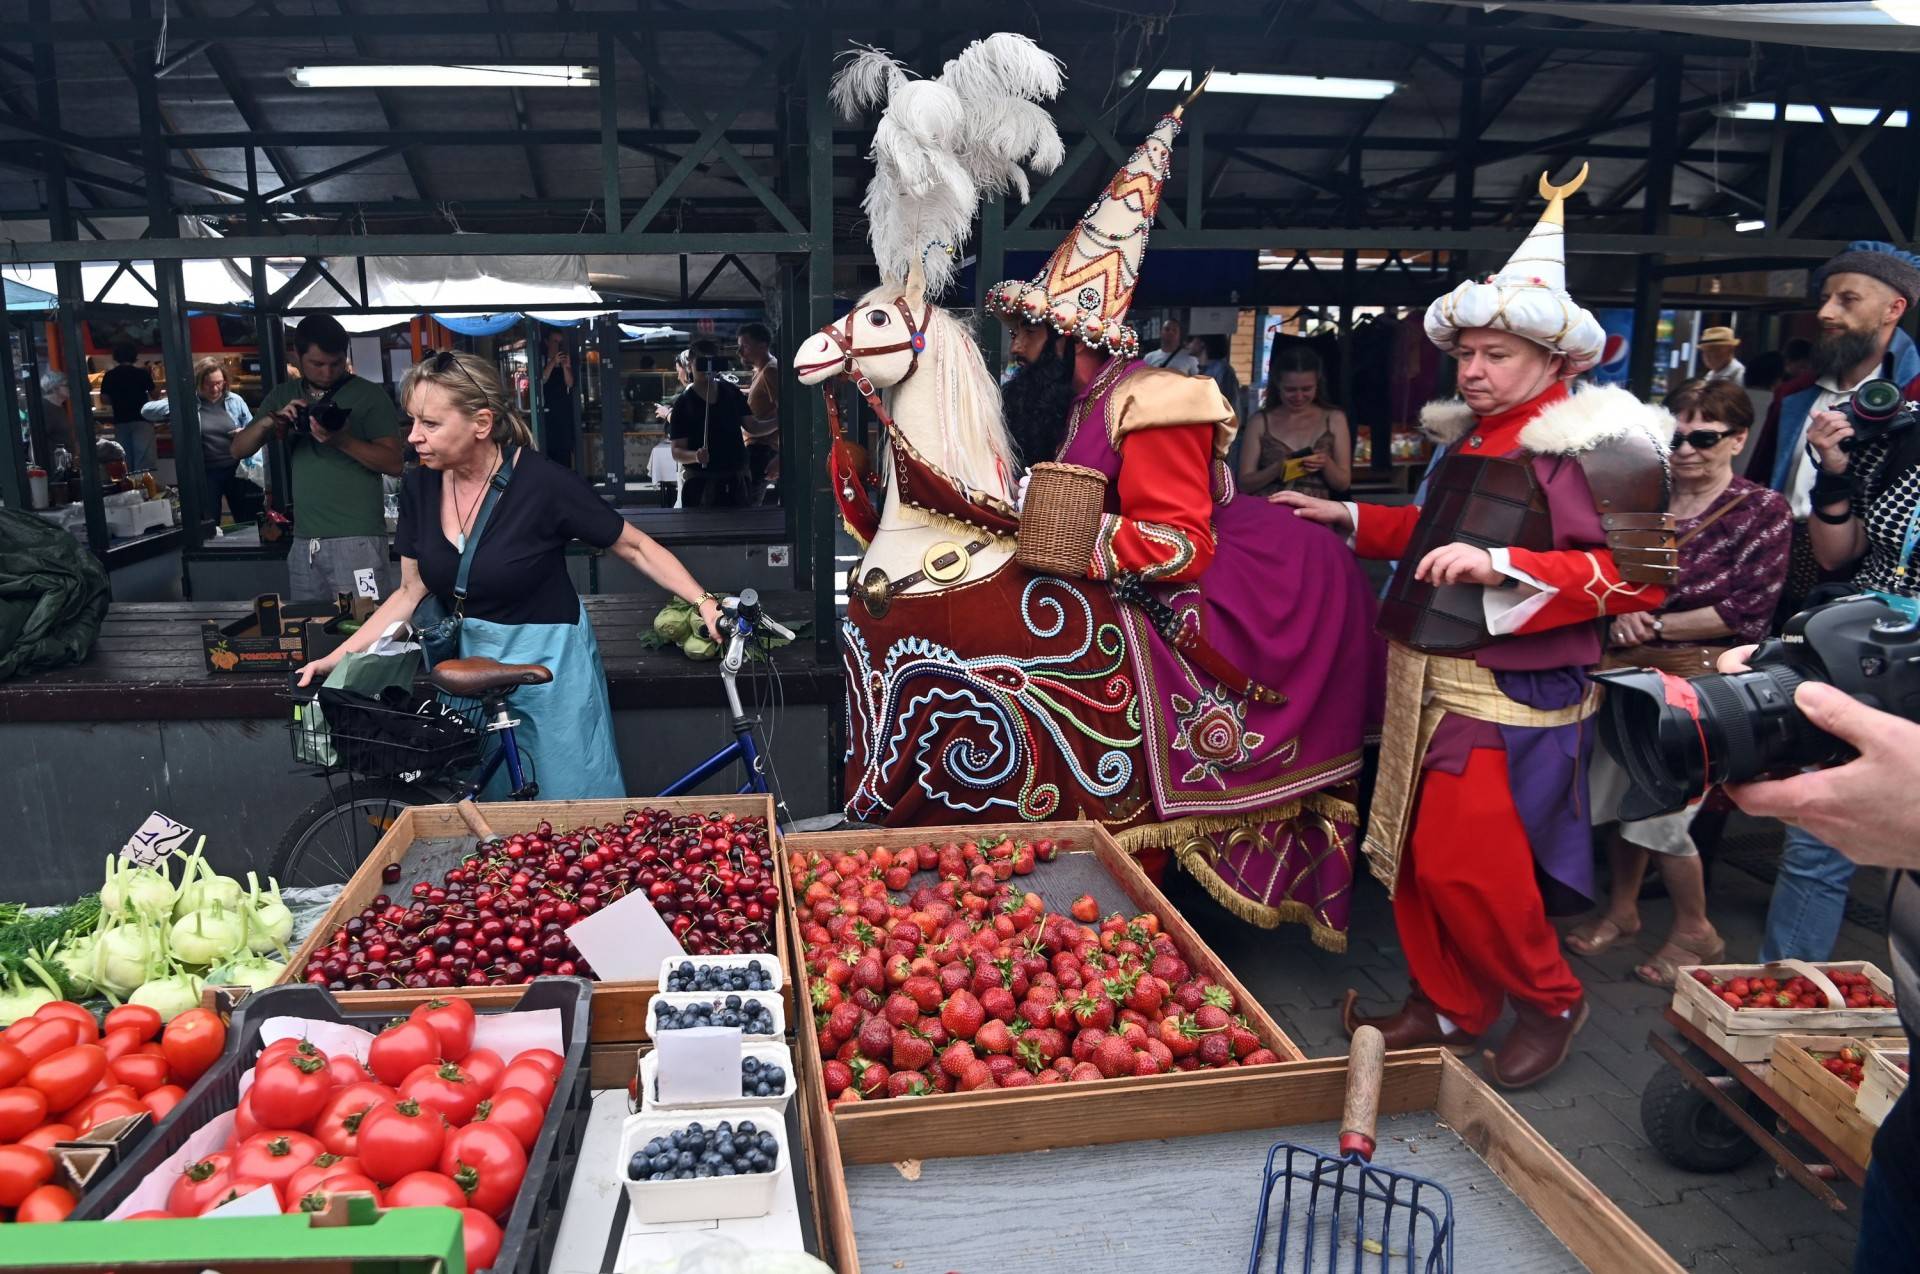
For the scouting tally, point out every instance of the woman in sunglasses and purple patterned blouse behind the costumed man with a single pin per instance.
(1733, 538)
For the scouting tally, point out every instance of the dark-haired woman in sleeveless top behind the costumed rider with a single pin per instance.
(1297, 442)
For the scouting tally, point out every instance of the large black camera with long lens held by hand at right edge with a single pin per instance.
(1677, 738)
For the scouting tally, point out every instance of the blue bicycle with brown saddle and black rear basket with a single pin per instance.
(381, 759)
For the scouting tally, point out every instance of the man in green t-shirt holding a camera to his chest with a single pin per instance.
(339, 507)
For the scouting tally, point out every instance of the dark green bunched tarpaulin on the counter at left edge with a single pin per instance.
(53, 596)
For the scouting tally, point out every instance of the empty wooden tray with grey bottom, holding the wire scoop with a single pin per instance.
(915, 1187)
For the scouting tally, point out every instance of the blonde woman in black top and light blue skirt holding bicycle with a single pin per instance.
(521, 603)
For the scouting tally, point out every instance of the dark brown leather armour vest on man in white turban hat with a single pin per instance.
(1479, 500)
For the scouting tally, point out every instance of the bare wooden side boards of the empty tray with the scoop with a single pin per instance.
(1211, 1102)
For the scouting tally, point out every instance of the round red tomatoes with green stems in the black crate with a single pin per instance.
(427, 1121)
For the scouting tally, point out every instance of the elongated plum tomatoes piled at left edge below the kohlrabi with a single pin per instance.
(66, 1073)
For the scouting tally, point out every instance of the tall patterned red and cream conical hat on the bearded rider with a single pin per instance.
(1088, 283)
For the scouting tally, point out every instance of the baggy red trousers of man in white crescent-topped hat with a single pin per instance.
(1468, 907)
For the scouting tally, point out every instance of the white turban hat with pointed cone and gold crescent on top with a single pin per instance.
(1529, 295)
